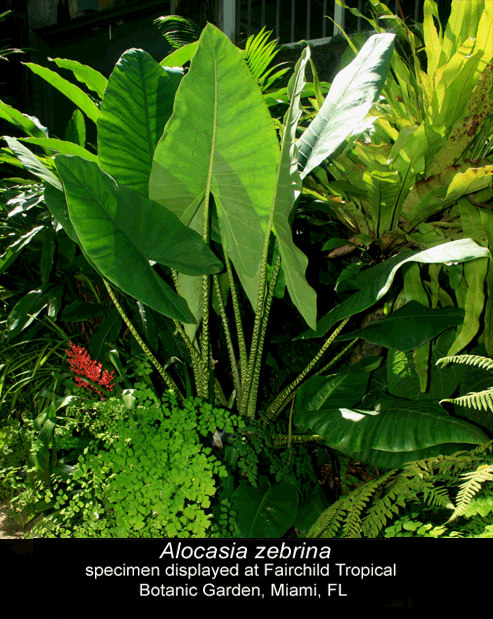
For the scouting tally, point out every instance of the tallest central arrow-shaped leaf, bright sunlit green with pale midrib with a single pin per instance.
(220, 141)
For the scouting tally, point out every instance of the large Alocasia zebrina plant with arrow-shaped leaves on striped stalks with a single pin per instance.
(189, 164)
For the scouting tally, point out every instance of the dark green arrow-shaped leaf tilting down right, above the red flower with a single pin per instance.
(121, 231)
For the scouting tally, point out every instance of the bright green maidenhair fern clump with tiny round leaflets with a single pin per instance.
(149, 472)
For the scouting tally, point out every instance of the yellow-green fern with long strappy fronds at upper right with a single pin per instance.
(418, 171)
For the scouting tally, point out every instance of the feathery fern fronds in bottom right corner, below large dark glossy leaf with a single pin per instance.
(366, 511)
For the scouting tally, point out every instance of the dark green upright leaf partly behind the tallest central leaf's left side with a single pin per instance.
(137, 104)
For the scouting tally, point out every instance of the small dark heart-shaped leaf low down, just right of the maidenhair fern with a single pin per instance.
(265, 514)
